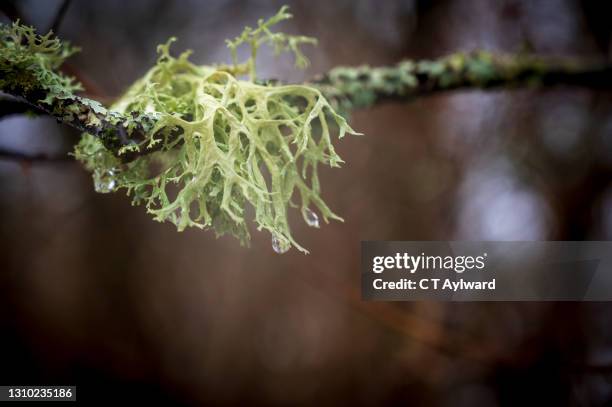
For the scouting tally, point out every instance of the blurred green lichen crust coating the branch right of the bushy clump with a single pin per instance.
(360, 87)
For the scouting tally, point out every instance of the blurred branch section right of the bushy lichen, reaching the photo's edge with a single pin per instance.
(364, 87)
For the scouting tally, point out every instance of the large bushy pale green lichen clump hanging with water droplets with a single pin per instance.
(222, 143)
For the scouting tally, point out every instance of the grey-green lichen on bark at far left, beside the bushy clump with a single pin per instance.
(29, 67)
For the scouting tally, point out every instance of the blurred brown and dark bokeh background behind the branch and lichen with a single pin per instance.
(94, 293)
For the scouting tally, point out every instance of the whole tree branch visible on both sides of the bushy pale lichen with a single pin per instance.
(353, 88)
